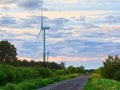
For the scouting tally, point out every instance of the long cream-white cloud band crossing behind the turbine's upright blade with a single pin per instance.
(58, 14)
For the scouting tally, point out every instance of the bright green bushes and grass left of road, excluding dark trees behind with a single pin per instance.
(27, 78)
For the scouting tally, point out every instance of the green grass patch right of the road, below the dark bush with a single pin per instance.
(102, 84)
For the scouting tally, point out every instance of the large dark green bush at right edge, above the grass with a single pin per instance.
(111, 68)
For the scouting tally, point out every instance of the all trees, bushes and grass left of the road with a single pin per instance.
(18, 74)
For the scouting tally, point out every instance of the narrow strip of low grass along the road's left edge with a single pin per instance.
(37, 83)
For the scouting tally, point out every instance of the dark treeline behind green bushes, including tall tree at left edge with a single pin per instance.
(8, 55)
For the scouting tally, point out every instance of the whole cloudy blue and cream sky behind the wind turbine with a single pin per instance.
(82, 32)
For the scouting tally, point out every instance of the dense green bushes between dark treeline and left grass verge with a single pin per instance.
(12, 74)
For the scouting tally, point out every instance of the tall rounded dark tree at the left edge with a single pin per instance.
(7, 52)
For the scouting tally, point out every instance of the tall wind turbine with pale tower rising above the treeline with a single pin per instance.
(43, 28)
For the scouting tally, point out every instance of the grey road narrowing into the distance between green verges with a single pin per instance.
(73, 84)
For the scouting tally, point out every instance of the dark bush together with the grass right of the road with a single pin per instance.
(106, 77)
